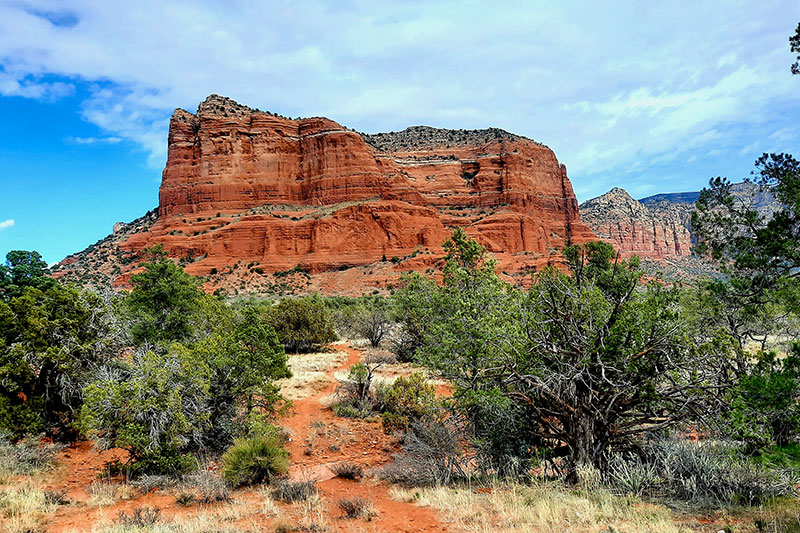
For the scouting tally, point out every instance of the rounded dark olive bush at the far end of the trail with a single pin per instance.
(302, 324)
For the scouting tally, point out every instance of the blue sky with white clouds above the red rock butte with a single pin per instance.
(652, 97)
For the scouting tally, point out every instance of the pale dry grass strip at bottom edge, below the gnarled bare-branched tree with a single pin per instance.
(542, 507)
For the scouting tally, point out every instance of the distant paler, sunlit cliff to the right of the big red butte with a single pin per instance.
(657, 230)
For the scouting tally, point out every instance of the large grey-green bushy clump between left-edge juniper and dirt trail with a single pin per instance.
(166, 403)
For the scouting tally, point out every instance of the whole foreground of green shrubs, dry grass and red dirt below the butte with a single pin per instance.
(593, 398)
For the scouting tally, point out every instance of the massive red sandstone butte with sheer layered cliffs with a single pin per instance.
(256, 202)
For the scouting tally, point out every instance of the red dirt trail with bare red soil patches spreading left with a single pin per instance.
(318, 440)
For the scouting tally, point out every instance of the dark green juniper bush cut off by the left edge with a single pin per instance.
(50, 337)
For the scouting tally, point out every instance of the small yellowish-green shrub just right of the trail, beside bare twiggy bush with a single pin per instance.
(408, 399)
